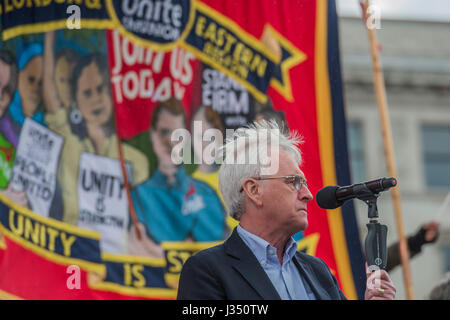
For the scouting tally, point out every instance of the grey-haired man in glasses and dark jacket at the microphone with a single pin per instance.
(260, 259)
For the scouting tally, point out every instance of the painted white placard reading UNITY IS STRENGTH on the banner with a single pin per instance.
(103, 201)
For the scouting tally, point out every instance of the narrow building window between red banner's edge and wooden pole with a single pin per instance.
(356, 151)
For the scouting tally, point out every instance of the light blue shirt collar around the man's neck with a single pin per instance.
(262, 249)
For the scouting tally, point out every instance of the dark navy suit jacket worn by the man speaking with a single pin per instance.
(230, 271)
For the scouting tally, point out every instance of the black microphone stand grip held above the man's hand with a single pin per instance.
(375, 244)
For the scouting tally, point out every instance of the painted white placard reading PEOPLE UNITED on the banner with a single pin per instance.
(35, 166)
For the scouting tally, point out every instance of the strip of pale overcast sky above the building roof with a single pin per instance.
(435, 10)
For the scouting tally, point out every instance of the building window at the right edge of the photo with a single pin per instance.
(436, 152)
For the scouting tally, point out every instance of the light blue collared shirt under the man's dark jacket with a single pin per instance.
(285, 278)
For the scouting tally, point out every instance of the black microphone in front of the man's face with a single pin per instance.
(332, 197)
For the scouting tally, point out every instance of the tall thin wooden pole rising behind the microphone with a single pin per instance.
(380, 92)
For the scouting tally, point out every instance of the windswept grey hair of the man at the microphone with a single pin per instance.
(251, 140)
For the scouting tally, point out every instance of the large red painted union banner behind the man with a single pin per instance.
(112, 81)
